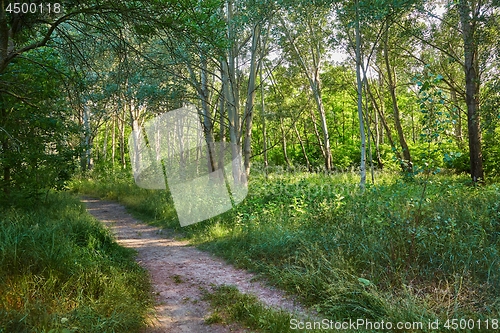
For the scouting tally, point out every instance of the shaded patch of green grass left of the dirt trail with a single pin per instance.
(61, 271)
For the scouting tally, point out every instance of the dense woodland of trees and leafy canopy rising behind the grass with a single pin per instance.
(291, 83)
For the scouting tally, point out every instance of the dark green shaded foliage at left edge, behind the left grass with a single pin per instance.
(36, 129)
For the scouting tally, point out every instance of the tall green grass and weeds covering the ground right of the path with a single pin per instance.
(403, 250)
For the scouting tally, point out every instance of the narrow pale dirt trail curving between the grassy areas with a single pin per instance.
(178, 271)
